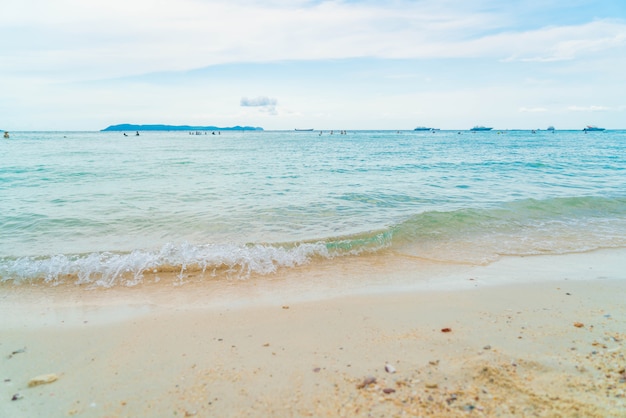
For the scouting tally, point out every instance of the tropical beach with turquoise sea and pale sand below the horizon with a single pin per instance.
(382, 275)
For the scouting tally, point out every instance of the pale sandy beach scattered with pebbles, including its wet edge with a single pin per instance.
(532, 336)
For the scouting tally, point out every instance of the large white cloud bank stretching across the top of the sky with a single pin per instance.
(116, 38)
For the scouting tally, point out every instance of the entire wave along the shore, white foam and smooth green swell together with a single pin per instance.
(467, 235)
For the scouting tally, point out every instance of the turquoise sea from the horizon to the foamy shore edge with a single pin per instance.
(102, 208)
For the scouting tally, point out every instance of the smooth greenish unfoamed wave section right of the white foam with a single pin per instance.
(517, 228)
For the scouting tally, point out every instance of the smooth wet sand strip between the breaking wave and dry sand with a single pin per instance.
(379, 274)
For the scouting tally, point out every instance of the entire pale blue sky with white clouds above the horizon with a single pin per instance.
(285, 64)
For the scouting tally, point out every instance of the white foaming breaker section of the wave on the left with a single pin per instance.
(107, 269)
